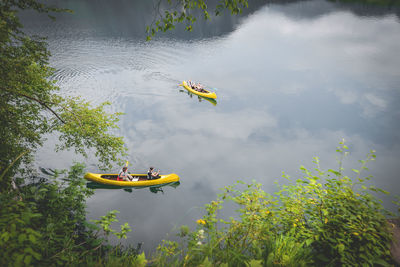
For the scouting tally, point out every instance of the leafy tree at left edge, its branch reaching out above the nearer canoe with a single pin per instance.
(31, 106)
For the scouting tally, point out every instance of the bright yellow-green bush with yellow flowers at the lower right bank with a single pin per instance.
(323, 219)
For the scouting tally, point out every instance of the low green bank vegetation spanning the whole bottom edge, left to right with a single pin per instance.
(324, 218)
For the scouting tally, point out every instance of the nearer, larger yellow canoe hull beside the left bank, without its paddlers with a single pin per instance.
(111, 179)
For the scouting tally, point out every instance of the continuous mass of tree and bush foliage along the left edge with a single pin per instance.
(44, 223)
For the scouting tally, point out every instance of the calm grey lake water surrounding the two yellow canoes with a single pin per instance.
(292, 80)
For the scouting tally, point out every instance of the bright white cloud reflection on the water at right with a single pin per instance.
(288, 91)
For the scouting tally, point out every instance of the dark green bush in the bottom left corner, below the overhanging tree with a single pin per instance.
(46, 225)
